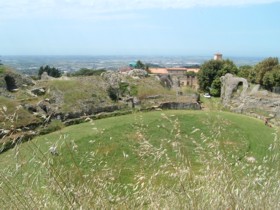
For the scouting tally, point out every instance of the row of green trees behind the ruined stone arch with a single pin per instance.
(265, 73)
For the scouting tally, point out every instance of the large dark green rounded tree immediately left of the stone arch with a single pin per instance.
(211, 71)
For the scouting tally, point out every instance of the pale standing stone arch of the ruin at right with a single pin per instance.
(231, 84)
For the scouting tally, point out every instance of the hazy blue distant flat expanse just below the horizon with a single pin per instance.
(31, 64)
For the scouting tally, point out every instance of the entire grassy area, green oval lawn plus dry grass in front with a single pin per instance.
(165, 159)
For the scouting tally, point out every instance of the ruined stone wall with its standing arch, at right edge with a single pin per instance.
(240, 96)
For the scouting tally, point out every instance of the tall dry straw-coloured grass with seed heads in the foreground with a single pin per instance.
(216, 181)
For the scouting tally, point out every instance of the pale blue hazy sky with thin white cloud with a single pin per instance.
(140, 27)
